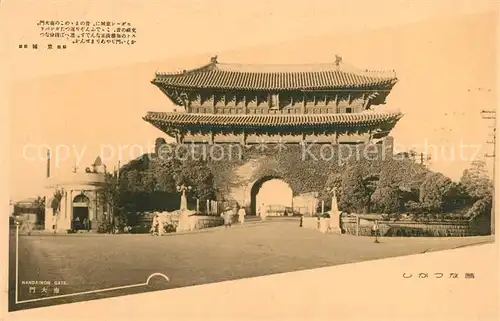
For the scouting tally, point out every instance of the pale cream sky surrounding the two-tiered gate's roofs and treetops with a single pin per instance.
(88, 100)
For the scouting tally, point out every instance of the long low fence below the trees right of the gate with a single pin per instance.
(413, 228)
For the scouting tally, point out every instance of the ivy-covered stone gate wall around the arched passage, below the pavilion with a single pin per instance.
(239, 180)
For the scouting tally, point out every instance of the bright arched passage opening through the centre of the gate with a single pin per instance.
(274, 194)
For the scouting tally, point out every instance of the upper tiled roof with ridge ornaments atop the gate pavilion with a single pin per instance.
(252, 77)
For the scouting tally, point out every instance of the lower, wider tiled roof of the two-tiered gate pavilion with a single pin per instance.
(178, 120)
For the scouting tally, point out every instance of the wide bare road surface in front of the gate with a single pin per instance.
(86, 262)
